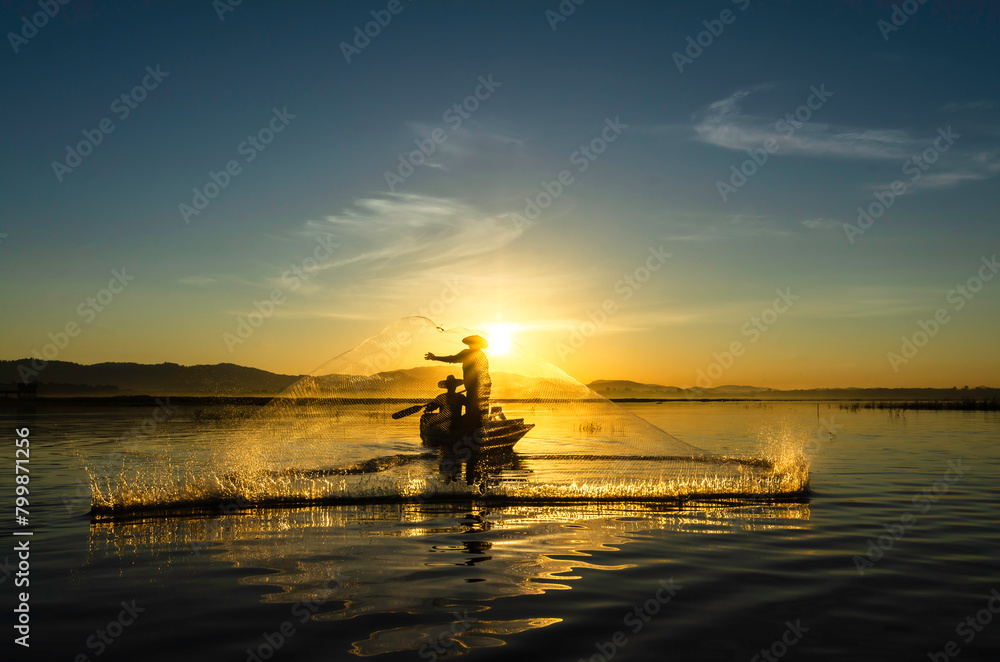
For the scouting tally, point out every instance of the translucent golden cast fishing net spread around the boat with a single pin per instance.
(332, 436)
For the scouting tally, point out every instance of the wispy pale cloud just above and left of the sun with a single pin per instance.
(395, 253)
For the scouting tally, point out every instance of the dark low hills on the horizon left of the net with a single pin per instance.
(66, 378)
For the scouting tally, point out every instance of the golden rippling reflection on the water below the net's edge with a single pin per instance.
(443, 564)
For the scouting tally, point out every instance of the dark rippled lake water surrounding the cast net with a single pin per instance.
(886, 560)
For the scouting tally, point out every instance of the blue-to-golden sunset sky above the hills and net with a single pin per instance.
(789, 195)
